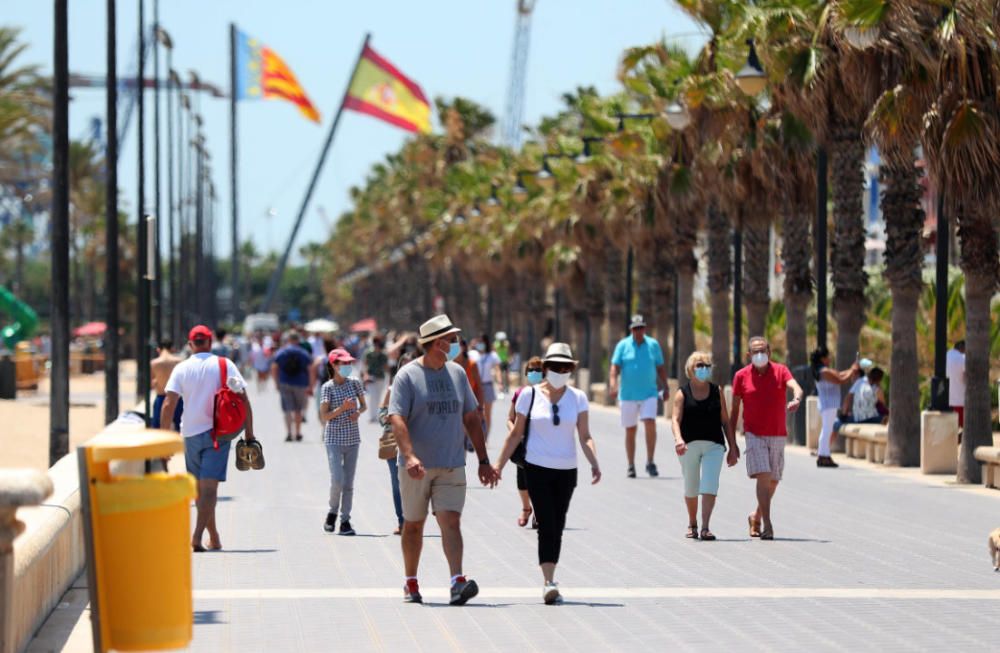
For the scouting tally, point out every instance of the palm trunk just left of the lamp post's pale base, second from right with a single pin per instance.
(903, 263)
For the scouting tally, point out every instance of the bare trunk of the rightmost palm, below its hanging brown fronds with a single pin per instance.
(982, 271)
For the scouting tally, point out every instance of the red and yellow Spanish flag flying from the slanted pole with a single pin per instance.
(380, 90)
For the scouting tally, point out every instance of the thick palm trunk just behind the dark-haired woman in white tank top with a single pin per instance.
(847, 255)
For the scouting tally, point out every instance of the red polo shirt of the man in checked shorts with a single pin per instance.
(763, 395)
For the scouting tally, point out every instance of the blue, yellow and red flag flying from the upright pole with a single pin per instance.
(260, 73)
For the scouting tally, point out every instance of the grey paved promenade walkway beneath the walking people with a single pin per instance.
(862, 560)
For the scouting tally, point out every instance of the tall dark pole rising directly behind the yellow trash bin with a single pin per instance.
(111, 344)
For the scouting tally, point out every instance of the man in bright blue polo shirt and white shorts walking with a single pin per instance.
(638, 364)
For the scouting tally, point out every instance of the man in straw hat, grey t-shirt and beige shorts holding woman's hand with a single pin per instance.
(431, 408)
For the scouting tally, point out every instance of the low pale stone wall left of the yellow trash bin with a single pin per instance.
(47, 556)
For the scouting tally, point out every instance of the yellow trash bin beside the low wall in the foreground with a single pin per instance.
(138, 543)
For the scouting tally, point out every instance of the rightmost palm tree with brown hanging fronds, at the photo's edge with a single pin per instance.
(960, 141)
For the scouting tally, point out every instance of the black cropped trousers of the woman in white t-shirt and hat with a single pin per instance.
(550, 491)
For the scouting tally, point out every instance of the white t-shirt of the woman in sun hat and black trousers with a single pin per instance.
(550, 445)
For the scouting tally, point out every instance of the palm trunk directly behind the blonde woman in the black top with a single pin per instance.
(720, 279)
